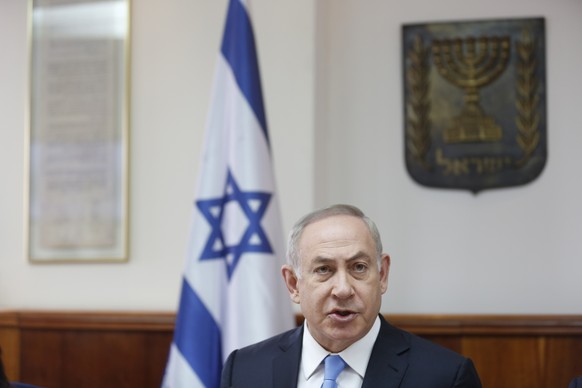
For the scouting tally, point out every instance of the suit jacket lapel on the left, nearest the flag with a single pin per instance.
(286, 363)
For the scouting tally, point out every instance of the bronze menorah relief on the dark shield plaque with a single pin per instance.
(471, 64)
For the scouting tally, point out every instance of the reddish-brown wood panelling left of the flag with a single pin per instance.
(67, 349)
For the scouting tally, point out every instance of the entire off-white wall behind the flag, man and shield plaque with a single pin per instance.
(332, 84)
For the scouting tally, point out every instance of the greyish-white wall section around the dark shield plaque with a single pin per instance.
(516, 250)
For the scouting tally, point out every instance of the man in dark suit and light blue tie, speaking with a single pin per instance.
(337, 273)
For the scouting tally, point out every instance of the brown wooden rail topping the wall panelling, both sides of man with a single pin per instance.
(421, 324)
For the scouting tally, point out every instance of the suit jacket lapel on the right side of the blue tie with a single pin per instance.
(389, 358)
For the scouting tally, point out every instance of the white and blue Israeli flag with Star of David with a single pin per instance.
(232, 290)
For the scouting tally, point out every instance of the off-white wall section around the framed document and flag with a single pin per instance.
(175, 46)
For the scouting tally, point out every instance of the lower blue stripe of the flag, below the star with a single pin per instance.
(198, 337)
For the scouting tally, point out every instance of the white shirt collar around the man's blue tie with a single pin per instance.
(356, 355)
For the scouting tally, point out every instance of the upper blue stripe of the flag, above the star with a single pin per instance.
(238, 47)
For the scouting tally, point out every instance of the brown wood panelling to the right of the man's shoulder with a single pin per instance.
(509, 351)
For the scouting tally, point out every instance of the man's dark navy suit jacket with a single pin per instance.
(399, 359)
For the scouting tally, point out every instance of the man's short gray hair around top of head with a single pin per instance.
(293, 254)
